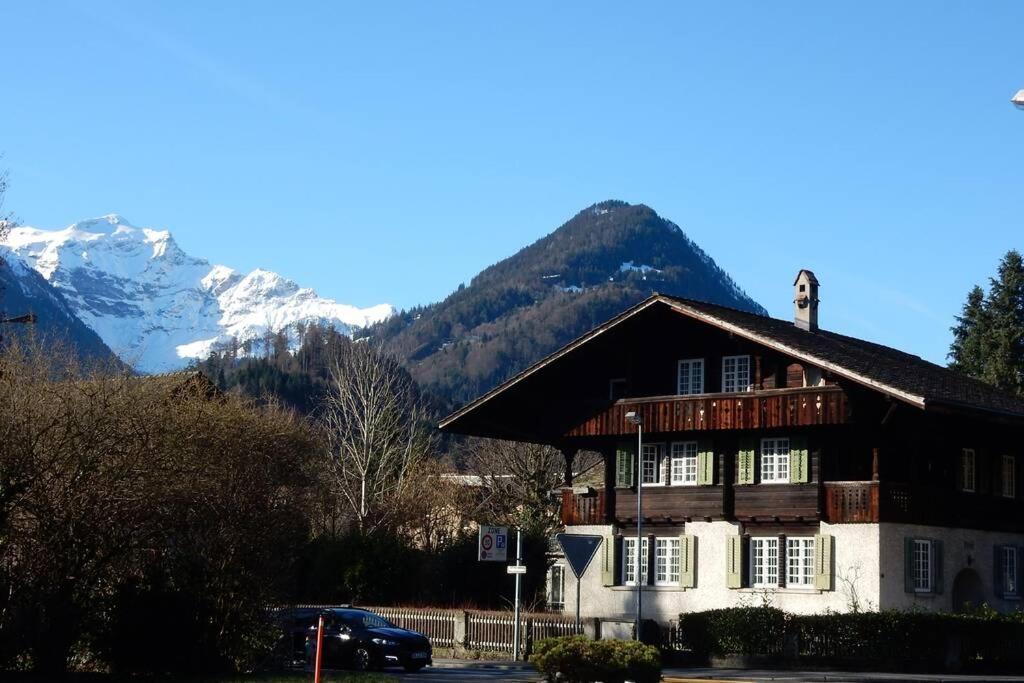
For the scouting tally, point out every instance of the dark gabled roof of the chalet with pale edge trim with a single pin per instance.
(887, 370)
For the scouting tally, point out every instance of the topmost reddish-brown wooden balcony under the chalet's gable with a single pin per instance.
(754, 410)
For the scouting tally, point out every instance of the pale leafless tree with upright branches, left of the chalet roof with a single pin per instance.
(378, 431)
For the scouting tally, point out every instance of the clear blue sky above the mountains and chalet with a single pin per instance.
(388, 152)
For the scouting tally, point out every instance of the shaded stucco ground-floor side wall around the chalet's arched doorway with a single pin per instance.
(963, 549)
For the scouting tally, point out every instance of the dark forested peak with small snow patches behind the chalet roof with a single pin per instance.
(607, 259)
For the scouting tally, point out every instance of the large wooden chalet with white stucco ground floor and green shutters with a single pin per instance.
(780, 462)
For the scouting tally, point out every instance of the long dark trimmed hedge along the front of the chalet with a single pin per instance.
(886, 639)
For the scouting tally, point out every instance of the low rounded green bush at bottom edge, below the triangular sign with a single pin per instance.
(580, 660)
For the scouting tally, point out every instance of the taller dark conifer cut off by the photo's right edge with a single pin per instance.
(1005, 341)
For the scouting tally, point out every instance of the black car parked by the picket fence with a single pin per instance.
(362, 641)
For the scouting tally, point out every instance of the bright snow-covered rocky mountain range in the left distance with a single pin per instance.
(158, 308)
